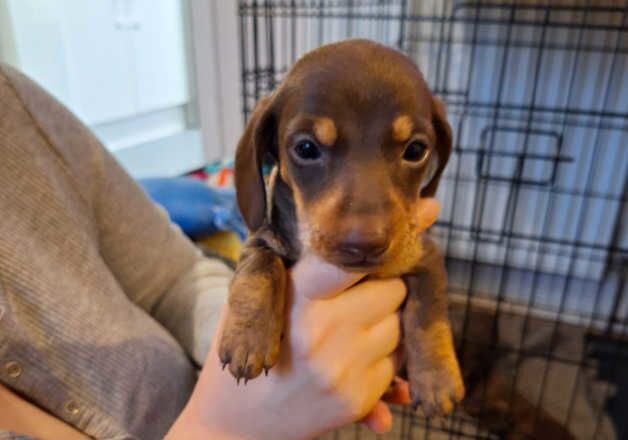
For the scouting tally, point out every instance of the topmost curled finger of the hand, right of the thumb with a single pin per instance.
(371, 301)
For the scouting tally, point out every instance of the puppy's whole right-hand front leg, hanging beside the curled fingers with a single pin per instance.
(433, 371)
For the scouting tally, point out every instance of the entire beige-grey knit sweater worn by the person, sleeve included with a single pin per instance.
(104, 304)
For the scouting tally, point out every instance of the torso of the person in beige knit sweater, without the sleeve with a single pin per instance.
(70, 339)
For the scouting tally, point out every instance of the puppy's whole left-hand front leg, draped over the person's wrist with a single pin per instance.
(252, 332)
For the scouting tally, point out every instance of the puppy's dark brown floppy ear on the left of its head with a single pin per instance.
(258, 139)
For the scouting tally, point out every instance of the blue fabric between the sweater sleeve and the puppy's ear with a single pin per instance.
(198, 209)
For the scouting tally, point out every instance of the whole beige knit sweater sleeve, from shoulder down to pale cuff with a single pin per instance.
(160, 270)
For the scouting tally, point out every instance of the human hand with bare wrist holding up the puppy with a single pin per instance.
(336, 362)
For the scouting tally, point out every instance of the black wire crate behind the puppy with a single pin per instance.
(270, 40)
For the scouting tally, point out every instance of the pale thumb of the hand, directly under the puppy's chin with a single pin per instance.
(314, 278)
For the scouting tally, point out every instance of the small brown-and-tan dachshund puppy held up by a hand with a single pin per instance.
(357, 137)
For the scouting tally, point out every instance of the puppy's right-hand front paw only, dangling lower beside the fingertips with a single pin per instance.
(436, 388)
